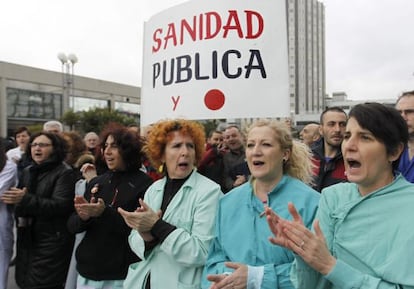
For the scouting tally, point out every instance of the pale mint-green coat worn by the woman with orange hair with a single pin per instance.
(178, 261)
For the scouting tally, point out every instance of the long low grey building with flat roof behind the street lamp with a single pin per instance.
(30, 96)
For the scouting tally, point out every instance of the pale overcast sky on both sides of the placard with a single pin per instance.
(369, 43)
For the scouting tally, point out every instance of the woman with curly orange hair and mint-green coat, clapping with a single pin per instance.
(173, 227)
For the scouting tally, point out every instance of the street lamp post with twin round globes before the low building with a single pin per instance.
(68, 80)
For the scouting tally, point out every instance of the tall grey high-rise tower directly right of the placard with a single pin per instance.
(306, 48)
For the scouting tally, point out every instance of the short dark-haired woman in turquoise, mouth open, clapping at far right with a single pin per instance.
(363, 236)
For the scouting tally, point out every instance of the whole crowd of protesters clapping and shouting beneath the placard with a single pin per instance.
(179, 207)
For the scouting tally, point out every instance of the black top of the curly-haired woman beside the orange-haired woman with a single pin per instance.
(104, 252)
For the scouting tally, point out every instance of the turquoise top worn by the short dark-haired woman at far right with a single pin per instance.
(371, 236)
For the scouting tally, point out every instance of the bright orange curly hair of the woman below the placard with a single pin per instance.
(160, 135)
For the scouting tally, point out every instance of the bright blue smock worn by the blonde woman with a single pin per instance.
(242, 234)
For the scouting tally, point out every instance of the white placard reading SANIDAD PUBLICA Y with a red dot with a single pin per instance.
(216, 59)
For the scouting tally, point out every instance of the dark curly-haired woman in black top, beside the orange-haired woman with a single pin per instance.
(103, 255)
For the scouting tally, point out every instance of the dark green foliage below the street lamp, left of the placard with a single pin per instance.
(94, 119)
